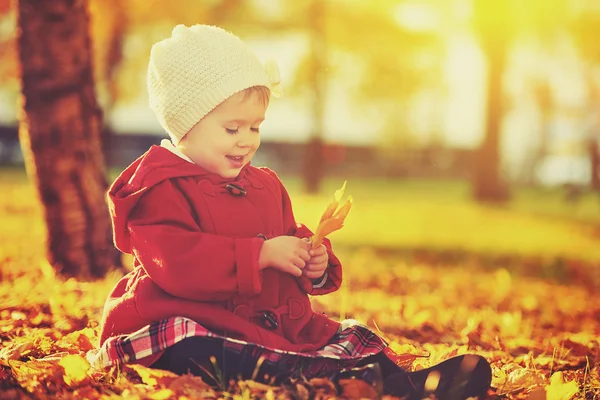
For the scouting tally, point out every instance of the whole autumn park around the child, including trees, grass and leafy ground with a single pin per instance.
(468, 133)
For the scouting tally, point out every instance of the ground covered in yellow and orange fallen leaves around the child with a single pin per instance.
(542, 337)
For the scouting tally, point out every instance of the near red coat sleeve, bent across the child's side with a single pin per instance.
(184, 261)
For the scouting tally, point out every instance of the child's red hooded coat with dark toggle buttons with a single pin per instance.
(196, 246)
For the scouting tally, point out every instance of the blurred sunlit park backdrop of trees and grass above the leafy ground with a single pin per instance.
(462, 126)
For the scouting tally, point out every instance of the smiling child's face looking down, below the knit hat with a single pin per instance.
(226, 139)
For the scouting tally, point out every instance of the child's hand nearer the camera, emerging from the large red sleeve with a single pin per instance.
(285, 253)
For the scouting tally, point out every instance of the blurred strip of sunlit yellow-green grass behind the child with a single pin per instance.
(435, 215)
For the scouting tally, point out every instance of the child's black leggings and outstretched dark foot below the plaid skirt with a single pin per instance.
(459, 377)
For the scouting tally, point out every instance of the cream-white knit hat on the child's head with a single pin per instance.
(198, 68)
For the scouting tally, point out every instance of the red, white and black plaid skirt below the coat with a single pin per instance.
(352, 343)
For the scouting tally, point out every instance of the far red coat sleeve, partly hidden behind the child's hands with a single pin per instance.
(334, 271)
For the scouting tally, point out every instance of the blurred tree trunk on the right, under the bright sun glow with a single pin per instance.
(488, 184)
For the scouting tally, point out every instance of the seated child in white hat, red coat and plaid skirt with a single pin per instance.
(222, 271)
